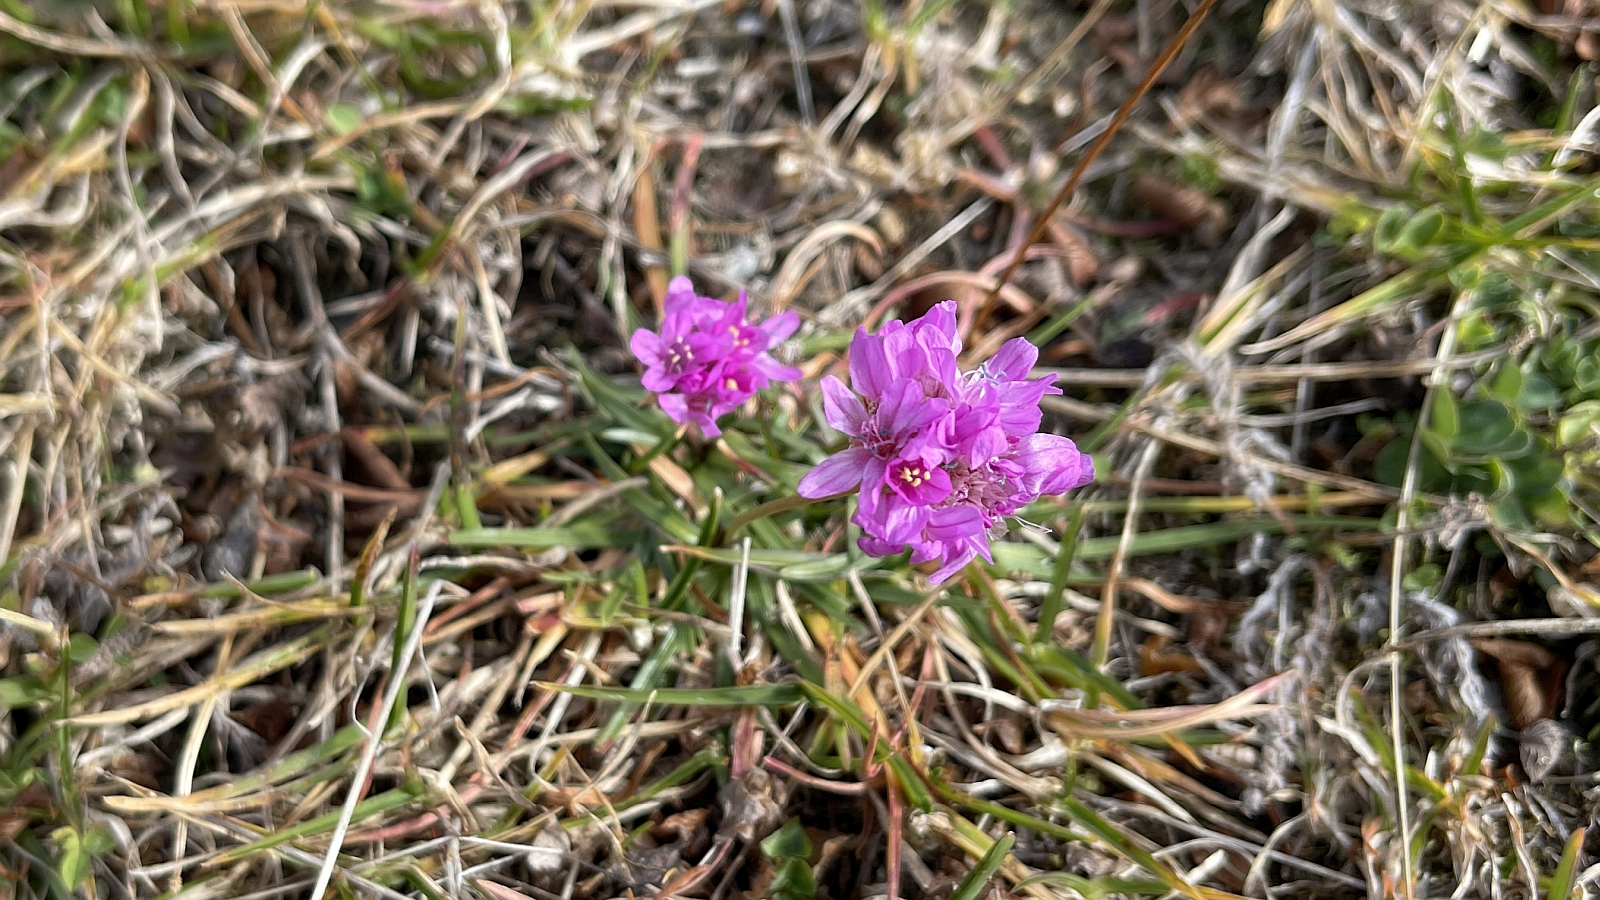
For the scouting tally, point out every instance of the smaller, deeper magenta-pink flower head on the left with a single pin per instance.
(708, 360)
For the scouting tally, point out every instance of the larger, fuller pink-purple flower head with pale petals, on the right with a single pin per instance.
(942, 457)
